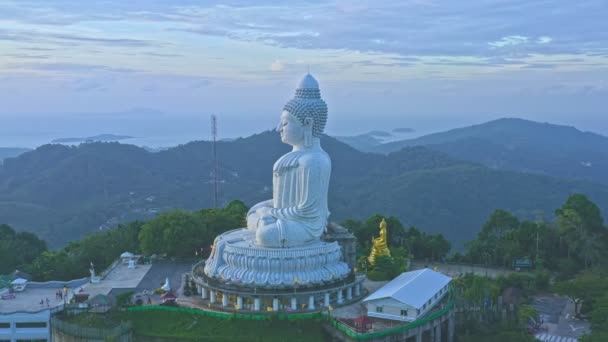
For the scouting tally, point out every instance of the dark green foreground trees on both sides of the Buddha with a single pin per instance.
(568, 254)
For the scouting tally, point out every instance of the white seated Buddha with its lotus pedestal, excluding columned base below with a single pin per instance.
(282, 245)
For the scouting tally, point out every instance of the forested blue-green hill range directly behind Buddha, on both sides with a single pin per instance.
(63, 192)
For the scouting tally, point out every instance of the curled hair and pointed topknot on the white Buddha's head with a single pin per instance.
(307, 103)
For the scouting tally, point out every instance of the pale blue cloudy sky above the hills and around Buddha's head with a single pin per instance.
(159, 67)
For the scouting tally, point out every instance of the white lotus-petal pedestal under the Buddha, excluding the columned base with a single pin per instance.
(237, 260)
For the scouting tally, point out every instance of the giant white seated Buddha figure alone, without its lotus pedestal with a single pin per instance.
(297, 213)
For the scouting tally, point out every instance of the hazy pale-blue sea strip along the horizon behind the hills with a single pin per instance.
(164, 130)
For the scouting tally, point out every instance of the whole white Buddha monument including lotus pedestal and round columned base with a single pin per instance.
(289, 253)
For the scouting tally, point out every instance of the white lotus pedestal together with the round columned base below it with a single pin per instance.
(309, 277)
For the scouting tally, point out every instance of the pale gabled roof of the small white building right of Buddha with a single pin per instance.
(412, 288)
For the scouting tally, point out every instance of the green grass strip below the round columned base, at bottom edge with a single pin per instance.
(191, 327)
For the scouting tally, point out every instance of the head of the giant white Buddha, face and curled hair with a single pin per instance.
(304, 117)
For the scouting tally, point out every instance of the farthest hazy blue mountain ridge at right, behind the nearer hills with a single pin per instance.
(520, 145)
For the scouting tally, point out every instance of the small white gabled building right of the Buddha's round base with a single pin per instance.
(409, 296)
